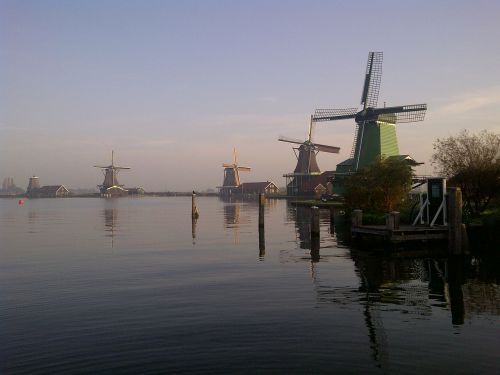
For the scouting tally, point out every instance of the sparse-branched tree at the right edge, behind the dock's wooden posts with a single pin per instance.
(471, 162)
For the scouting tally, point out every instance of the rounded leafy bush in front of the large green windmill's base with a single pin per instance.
(381, 186)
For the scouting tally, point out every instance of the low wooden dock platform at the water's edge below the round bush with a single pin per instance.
(403, 233)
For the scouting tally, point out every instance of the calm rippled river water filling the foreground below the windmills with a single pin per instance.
(131, 286)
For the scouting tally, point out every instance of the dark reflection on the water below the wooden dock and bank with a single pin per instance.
(413, 287)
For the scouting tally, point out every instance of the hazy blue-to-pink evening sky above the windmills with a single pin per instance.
(173, 86)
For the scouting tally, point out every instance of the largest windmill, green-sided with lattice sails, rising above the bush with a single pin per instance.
(375, 134)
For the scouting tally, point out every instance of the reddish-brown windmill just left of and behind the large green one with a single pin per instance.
(304, 178)
